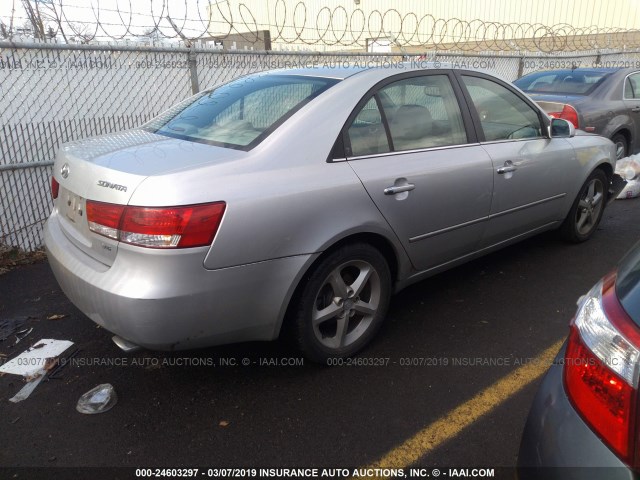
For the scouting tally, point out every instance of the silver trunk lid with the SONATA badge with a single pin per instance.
(109, 168)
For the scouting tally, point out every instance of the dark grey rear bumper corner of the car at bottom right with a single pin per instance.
(558, 444)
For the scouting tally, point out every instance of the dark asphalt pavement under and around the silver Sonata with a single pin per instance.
(259, 405)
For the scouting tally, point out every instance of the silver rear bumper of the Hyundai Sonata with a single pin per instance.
(167, 300)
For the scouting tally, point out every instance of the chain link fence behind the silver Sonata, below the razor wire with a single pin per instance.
(51, 94)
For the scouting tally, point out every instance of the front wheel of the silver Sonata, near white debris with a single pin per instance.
(585, 214)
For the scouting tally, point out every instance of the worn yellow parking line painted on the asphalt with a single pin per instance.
(453, 422)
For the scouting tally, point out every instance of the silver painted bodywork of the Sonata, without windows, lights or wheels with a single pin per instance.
(285, 205)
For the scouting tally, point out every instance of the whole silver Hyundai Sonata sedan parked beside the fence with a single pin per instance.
(298, 200)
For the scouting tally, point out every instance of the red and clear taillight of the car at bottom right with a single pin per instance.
(601, 368)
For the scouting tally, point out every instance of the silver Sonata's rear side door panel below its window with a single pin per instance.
(434, 222)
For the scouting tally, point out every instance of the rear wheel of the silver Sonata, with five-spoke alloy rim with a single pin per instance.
(342, 303)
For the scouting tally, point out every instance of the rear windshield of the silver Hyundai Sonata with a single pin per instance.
(239, 114)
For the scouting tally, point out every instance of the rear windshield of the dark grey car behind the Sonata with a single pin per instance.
(568, 82)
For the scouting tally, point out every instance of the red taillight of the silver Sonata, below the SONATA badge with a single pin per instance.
(157, 227)
